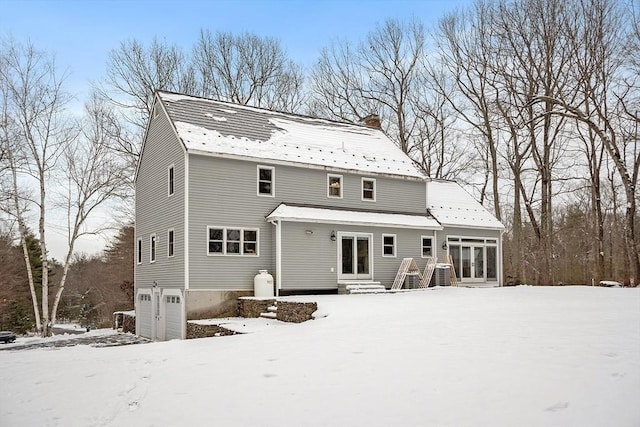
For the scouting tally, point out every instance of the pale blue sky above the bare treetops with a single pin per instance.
(82, 33)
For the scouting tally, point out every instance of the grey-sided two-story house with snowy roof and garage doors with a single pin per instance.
(225, 190)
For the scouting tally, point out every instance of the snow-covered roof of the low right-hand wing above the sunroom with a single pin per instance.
(451, 205)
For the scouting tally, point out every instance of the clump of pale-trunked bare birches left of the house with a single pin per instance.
(42, 144)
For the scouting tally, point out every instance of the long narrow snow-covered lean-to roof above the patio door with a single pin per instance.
(335, 216)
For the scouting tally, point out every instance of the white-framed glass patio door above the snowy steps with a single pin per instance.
(355, 260)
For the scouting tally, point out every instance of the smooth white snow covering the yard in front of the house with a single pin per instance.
(519, 356)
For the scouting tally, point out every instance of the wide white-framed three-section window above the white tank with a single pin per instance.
(232, 241)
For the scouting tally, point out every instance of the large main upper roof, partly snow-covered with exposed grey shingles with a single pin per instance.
(226, 129)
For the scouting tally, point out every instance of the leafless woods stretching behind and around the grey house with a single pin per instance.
(534, 105)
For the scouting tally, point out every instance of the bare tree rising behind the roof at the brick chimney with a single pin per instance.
(378, 76)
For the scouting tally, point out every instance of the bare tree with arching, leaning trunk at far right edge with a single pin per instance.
(601, 107)
